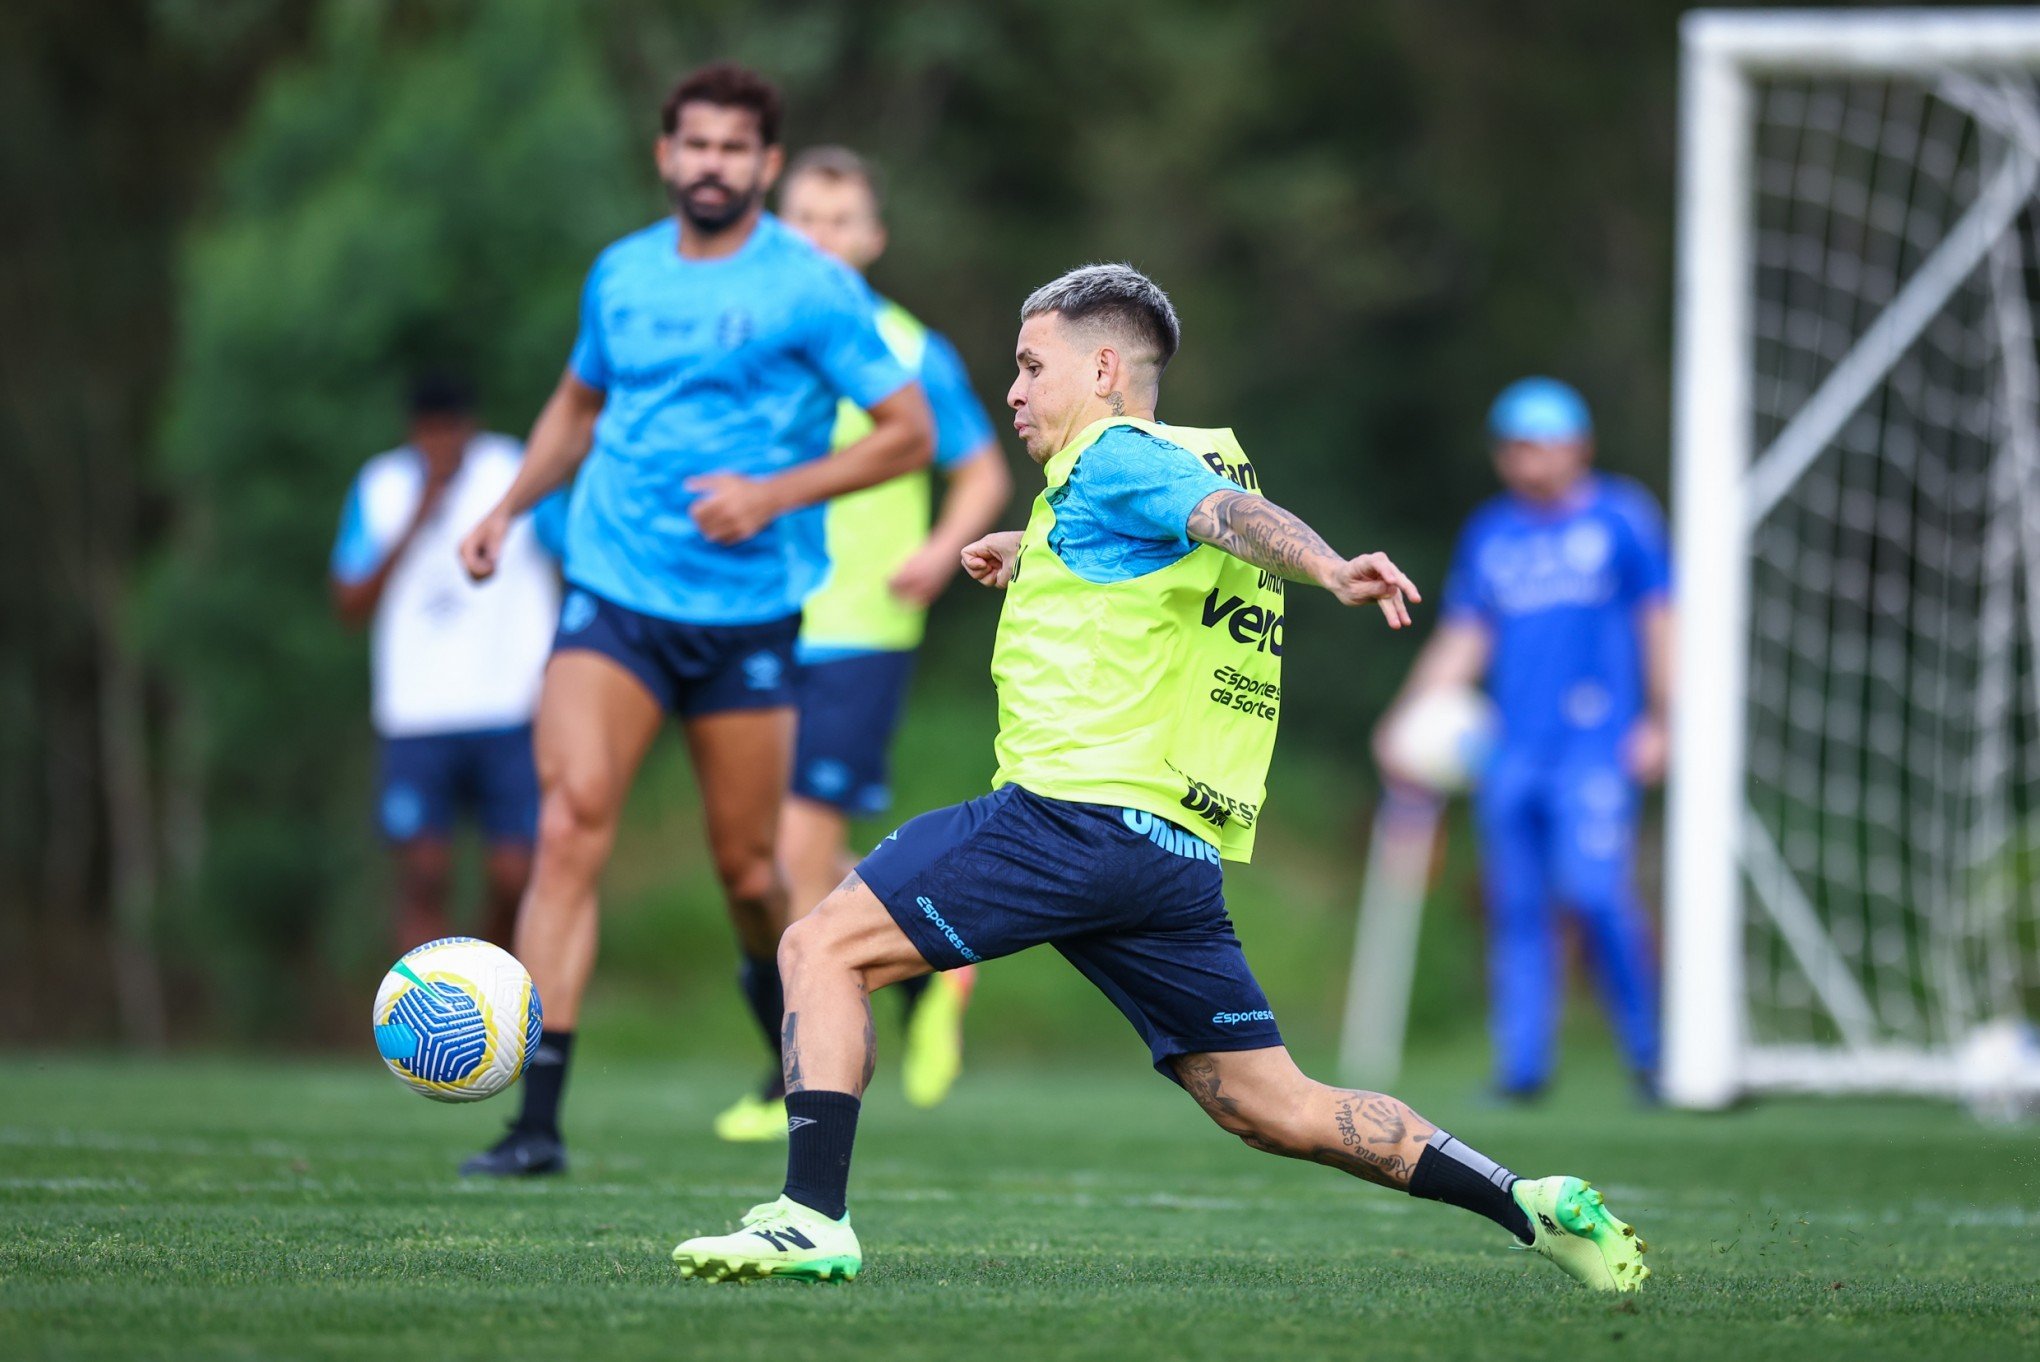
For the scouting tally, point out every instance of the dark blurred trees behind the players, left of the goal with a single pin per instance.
(238, 225)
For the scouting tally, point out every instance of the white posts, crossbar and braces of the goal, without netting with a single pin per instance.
(1723, 486)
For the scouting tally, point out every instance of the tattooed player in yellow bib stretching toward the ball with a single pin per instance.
(1139, 680)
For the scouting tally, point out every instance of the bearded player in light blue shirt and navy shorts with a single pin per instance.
(713, 352)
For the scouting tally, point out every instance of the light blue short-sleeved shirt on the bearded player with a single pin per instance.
(727, 366)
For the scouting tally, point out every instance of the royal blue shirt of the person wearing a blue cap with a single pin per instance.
(1560, 592)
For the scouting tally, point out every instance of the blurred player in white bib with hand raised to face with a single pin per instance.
(456, 666)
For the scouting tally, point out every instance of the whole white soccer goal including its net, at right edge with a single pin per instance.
(1855, 863)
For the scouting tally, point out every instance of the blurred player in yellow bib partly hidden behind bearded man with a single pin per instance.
(858, 637)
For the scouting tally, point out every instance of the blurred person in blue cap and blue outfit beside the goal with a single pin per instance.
(1558, 605)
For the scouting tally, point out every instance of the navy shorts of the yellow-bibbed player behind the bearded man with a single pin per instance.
(850, 709)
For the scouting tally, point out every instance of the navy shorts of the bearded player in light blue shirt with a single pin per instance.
(691, 670)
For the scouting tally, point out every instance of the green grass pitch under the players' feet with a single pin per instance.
(305, 1210)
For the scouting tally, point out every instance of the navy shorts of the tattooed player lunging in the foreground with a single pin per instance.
(1129, 898)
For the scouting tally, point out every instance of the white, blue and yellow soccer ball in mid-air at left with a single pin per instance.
(458, 1018)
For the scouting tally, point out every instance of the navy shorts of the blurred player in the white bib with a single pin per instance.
(431, 780)
